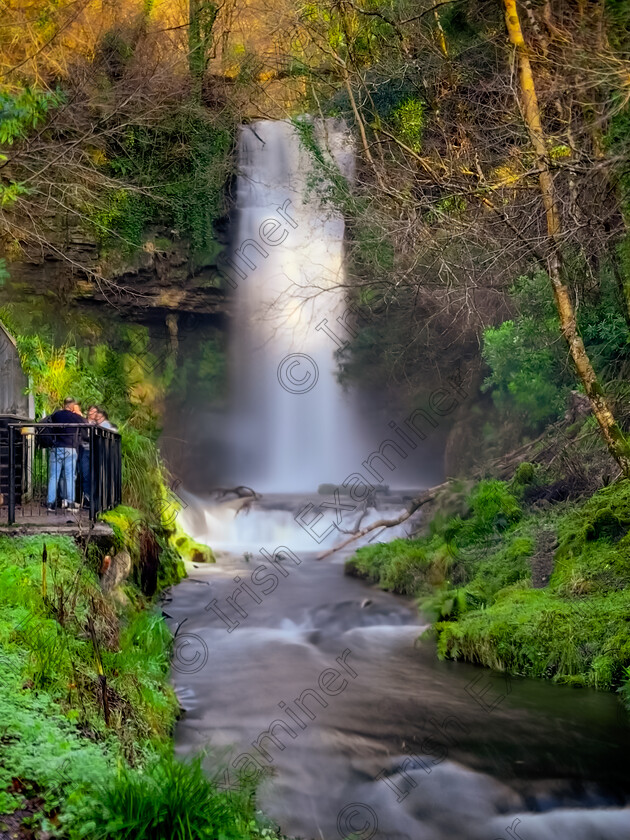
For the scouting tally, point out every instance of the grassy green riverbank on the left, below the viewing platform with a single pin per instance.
(87, 711)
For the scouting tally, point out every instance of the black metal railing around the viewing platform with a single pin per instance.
(33, 465)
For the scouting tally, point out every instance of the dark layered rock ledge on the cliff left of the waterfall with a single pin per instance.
(158, 281)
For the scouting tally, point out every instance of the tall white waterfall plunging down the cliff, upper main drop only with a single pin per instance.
(291, 424)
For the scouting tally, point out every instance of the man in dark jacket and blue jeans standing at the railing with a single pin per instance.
(63, 453)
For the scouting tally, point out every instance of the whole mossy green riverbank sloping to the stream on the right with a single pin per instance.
(529, 589)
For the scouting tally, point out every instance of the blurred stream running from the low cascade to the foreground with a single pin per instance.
(321, 682)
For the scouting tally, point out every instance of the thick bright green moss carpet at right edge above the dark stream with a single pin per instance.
(575, 630)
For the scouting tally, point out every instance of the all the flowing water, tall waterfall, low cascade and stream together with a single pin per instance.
(288, 668)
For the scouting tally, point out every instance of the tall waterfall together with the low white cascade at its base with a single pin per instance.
(290, 426)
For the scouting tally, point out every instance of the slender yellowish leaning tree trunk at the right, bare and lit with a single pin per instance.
(617, 445)
